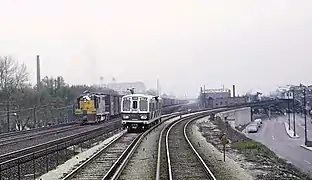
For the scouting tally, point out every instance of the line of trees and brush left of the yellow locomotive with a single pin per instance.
(22, 104)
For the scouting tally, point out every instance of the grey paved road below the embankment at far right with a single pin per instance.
(274, 136)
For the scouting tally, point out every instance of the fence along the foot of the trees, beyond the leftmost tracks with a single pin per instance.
(20, 119)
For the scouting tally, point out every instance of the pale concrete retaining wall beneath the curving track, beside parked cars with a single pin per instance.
(237, 117)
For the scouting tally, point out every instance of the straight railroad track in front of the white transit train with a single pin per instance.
(110, 161)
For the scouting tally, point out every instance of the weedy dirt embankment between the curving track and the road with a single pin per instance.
(260, 162)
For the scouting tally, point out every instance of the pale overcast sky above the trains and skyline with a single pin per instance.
(256, 45)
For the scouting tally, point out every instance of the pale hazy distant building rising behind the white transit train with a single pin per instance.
(122, 87)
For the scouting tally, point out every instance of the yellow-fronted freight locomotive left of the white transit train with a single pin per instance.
(96, 107)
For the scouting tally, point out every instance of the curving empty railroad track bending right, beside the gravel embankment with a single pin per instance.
(177, 157)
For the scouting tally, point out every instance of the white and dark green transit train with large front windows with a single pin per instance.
(140, 112)
